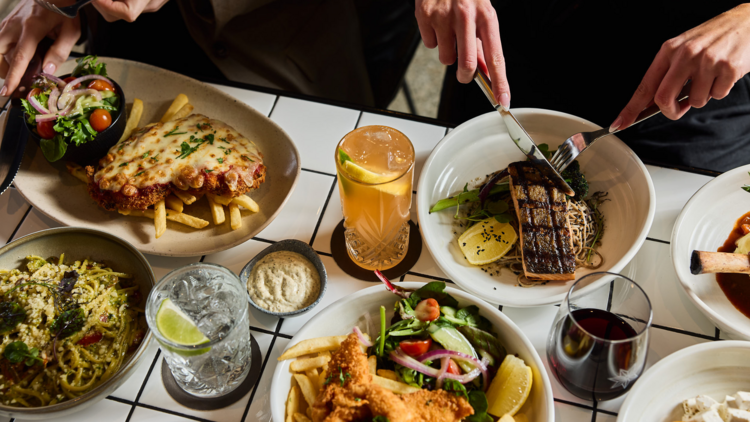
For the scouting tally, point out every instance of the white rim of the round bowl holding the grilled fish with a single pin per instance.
(428, 237)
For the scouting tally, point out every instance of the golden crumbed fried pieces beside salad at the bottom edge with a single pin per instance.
(351, 396)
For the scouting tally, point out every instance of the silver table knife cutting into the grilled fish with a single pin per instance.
(521, 138)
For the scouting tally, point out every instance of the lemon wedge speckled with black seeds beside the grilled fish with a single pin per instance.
(487, 241)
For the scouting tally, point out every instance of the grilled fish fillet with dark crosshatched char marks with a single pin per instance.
(546, 240)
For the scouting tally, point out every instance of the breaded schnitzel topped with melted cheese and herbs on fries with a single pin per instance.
(194, 154)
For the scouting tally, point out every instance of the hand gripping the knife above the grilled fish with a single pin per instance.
(470, 25)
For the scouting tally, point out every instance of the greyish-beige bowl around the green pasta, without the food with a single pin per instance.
(79, 243)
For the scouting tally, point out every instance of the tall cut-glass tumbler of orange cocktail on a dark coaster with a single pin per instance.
(375, 171)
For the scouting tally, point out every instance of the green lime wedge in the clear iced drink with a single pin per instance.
(178, 328)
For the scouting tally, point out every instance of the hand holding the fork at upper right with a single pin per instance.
(713, 55)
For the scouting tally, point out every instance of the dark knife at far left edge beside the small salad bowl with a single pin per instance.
(16, 134)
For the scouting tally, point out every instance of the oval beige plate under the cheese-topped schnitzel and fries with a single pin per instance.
(63, 198)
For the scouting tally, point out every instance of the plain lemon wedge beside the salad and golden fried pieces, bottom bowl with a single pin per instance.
(510, 388)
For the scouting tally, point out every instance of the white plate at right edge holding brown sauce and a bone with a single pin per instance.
(704, 224)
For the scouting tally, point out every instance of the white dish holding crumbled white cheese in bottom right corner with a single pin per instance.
(715, 369)
